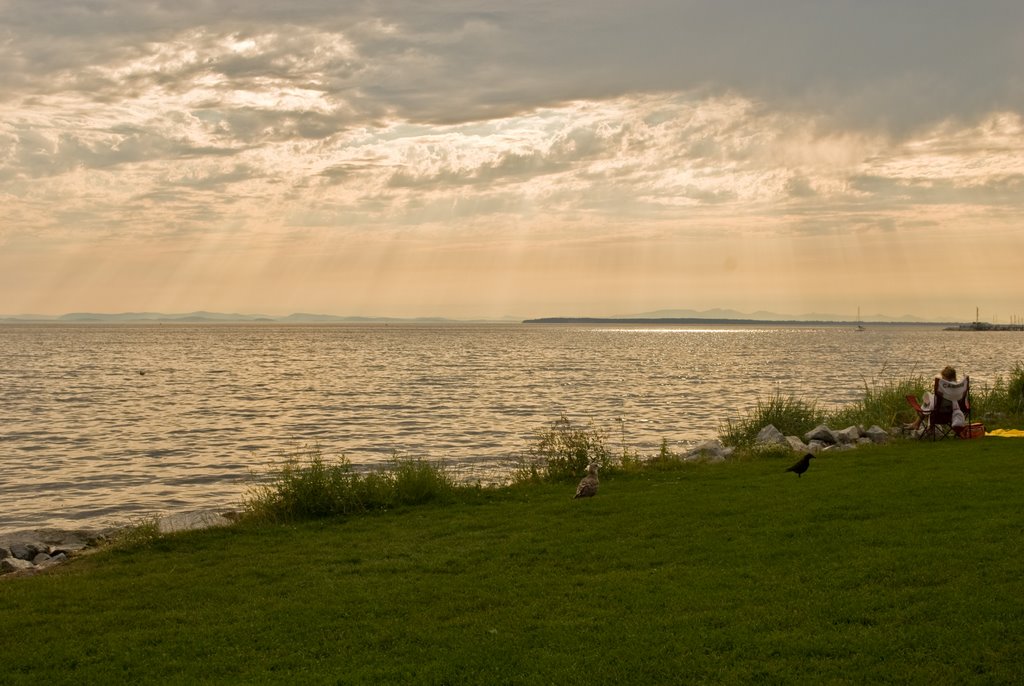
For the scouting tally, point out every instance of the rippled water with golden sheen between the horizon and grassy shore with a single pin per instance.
(105, 425)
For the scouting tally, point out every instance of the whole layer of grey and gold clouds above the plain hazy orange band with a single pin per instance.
(613, 128)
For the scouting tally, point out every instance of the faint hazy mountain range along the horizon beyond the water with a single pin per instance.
(306, 318)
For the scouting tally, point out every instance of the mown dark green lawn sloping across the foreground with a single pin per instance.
(899, 565)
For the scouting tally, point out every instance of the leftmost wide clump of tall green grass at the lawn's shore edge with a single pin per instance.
(309, 487)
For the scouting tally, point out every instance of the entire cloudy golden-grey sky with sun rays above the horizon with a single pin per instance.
(485, 160)
